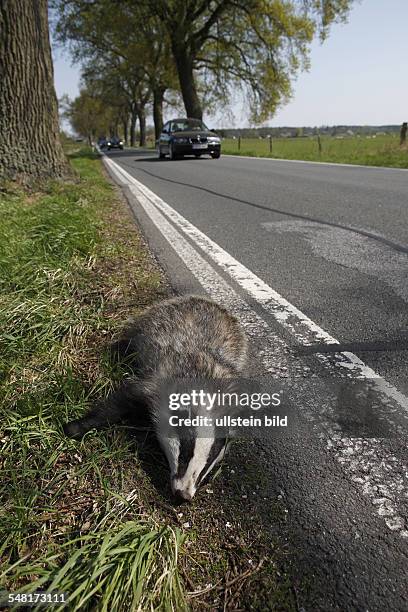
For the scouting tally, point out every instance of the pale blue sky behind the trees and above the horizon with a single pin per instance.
(357, 77)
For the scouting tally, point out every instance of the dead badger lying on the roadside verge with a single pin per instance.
(172, 345)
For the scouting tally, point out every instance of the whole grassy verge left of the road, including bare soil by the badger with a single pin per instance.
(95, 518)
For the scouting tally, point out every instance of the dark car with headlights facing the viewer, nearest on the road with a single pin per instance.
(181, 137)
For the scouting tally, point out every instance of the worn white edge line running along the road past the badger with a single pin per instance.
(376, 472)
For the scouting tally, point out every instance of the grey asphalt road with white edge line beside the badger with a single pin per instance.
(333, 242)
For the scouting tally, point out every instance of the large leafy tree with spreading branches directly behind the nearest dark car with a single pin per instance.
(257, 45)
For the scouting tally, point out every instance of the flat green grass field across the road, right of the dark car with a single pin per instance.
(383, 150)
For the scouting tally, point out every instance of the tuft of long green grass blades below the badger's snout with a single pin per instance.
(128, 566)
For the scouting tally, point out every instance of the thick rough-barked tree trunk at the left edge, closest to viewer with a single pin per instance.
(30, 146)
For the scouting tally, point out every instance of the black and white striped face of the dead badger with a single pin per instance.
(191, 460)
